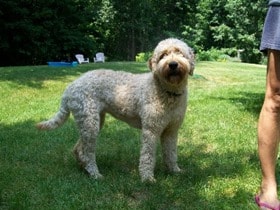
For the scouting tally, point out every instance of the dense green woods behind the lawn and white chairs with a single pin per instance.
(35, 31)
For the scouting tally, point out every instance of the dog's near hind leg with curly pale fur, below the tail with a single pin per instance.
(89, 126)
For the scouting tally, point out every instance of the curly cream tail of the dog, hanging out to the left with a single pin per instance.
(57, 120)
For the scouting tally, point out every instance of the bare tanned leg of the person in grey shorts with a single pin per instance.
(269, 130)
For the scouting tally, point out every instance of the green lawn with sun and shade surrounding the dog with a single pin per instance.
(217, 145)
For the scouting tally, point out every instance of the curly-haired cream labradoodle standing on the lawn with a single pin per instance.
(154, 102)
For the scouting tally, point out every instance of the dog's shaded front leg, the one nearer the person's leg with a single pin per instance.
(169, 149)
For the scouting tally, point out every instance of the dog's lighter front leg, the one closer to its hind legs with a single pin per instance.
(147, 156)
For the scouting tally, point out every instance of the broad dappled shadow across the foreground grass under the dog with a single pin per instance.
(32, 158)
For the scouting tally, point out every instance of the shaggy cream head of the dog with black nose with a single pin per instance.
(172, 60)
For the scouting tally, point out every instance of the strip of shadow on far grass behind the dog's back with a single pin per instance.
(33, 76)
